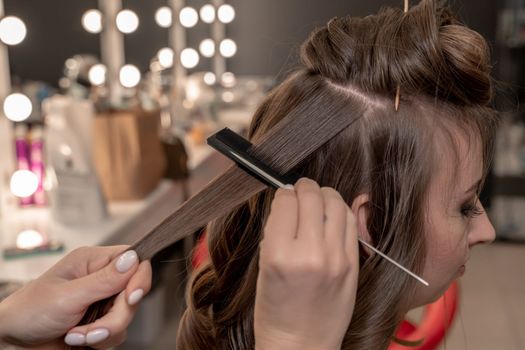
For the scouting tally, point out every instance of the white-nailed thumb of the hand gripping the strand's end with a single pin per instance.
(105, 282)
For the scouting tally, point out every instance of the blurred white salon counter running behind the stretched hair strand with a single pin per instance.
(127, 221)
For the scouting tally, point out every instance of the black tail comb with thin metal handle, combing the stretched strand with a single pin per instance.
(237, 149)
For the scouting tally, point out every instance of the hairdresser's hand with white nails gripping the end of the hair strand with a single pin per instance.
(48, 308)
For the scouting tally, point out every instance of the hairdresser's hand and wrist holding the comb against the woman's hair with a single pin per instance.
(308, 269)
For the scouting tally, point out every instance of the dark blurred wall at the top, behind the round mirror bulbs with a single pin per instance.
(268, 32)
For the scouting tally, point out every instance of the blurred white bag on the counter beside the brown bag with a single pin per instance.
(75, 196)
